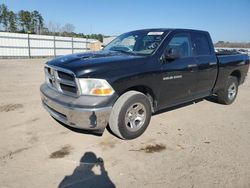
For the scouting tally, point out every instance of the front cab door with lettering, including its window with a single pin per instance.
(179, 74)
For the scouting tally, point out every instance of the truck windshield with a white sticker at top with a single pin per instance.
(137, 42)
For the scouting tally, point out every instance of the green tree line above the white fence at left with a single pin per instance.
(33, 22)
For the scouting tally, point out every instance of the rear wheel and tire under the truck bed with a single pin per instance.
(229, 93)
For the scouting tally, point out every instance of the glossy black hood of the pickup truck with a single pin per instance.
(97, 64)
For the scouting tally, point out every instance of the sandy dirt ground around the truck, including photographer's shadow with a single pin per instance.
(200, 145)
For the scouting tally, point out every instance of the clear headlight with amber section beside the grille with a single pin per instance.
(97, 87)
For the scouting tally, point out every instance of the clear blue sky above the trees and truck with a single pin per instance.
(227, 20)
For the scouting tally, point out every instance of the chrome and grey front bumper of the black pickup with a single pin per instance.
(75, 112)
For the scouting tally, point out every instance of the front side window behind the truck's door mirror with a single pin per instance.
(180, 43)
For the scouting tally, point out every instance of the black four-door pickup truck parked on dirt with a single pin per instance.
(136, 75)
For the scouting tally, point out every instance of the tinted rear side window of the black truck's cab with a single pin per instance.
(201, 44)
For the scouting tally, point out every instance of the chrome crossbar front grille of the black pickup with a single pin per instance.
(61, 80)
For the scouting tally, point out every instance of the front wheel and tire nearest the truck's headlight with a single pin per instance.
(130, 115)
